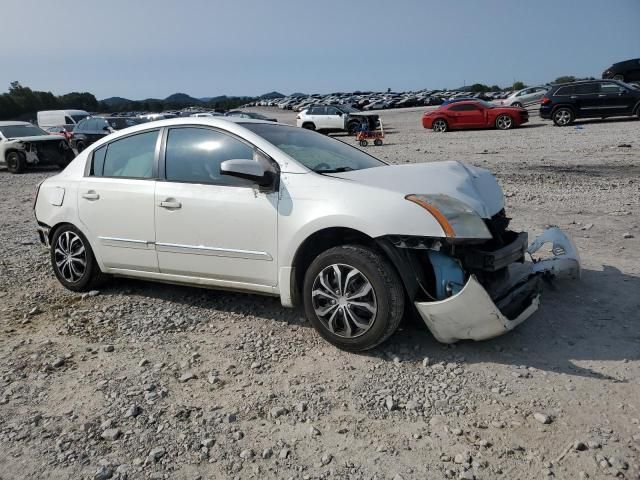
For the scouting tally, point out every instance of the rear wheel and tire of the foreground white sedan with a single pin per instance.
(72, 259)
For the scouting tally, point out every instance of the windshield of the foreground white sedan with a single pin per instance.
(317, 152)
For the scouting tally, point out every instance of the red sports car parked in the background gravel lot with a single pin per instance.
(474, 114)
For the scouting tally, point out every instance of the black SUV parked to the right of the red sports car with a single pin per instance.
(589, 99)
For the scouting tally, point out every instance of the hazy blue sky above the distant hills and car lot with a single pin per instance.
(152, 48)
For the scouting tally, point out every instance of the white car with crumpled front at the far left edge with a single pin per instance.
(24, 145)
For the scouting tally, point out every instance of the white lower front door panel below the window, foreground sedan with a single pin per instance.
(213, 232)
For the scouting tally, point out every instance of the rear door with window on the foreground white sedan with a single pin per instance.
(116, 202)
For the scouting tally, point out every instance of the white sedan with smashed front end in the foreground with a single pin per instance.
(274, 209)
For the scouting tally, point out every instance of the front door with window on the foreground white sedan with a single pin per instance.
(210, 225)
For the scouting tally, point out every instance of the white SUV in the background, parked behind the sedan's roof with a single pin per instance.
(333, 118)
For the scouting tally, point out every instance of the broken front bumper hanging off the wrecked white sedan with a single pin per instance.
(472, 313)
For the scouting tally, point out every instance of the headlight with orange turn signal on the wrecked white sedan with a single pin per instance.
(456, 218)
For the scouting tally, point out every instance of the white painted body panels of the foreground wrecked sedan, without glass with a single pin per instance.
(246, 239)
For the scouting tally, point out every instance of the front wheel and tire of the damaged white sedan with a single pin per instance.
(353, 297)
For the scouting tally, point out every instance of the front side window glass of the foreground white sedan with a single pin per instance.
(194, 155)
